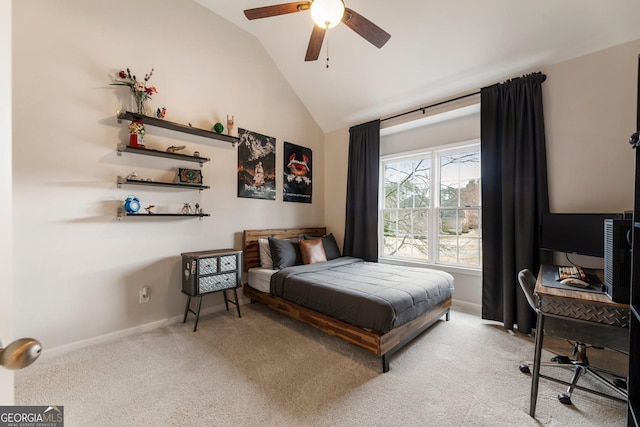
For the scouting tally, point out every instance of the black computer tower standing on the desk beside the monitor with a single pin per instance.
(617, 259)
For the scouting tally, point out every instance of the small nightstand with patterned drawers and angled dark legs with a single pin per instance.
(206, 272)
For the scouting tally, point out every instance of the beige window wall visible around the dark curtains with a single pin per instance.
(589, 106)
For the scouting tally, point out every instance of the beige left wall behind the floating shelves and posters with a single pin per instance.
(77, 269)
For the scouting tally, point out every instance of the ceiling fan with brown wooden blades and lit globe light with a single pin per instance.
(326, 14)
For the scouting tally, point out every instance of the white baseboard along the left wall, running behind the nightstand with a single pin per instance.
(102, 339)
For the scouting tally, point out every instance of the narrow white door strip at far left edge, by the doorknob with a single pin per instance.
(6, 280)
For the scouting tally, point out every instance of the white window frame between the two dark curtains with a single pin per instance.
(434, 153)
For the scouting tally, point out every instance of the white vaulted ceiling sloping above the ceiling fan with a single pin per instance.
(438, 49)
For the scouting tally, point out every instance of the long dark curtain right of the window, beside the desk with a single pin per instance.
(514, 195)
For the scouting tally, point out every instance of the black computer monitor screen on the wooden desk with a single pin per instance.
(579, 233)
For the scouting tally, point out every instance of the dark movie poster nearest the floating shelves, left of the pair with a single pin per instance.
(256, 166)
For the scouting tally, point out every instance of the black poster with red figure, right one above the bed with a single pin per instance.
(297, 174)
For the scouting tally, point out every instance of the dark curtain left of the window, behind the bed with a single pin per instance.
(361, 221)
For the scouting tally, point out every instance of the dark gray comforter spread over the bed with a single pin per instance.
(370, 295)
